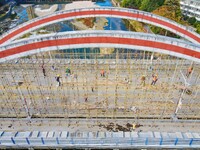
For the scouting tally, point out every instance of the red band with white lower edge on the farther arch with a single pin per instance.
(84, 13)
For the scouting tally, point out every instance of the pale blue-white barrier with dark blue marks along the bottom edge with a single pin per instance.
(99, 139)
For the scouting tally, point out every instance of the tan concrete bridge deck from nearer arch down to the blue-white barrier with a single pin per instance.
(114, 99)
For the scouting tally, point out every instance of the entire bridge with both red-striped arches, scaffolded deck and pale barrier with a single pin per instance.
(117, 104)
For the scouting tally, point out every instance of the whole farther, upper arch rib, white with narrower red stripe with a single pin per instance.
(131, 14)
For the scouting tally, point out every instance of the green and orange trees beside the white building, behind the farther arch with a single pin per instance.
(166, 8)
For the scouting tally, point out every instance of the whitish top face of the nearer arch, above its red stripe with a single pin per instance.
(93, 33)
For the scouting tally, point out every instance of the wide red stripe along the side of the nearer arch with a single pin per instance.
(99, 40)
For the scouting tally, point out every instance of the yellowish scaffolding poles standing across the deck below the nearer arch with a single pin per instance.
(26, 92)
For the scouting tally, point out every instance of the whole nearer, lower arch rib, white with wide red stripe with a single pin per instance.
(81, 39)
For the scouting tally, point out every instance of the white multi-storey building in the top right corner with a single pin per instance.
(191, 8)
